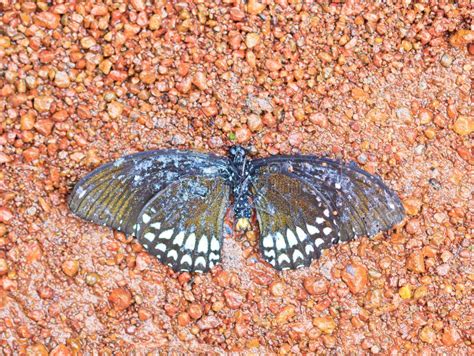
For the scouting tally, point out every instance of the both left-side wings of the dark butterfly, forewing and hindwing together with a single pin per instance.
(124, 193)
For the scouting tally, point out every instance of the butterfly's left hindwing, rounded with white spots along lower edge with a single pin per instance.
(183, 224)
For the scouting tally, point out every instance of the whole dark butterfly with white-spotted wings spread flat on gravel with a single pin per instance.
(174, 203)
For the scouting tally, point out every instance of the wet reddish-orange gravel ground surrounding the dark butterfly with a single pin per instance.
(388, 86)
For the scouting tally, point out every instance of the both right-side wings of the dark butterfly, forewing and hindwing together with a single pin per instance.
(305, 204)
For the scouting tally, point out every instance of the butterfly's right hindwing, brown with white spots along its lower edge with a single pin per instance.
(295, 222)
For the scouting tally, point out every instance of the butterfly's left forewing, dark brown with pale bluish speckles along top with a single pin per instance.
(114, 194)
